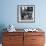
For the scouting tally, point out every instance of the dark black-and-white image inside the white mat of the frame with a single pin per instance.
(26, 13)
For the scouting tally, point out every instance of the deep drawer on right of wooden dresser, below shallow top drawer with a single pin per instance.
(34, 39)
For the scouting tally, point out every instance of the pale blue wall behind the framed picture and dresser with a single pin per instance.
(9, 13)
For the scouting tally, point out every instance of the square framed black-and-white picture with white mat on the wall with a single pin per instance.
(26, 13)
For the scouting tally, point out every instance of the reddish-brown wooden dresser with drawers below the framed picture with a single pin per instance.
(23, 39)
